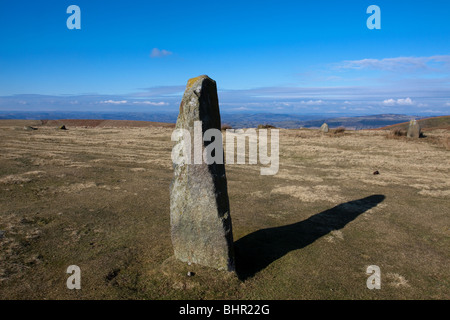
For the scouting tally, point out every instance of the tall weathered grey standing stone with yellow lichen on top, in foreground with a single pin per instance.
(199, 207)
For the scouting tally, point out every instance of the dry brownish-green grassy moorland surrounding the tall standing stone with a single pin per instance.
(98, 197)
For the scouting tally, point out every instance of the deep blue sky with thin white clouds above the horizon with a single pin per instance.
(266, 56)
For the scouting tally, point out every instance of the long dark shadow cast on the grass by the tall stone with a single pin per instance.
(257, 250)
